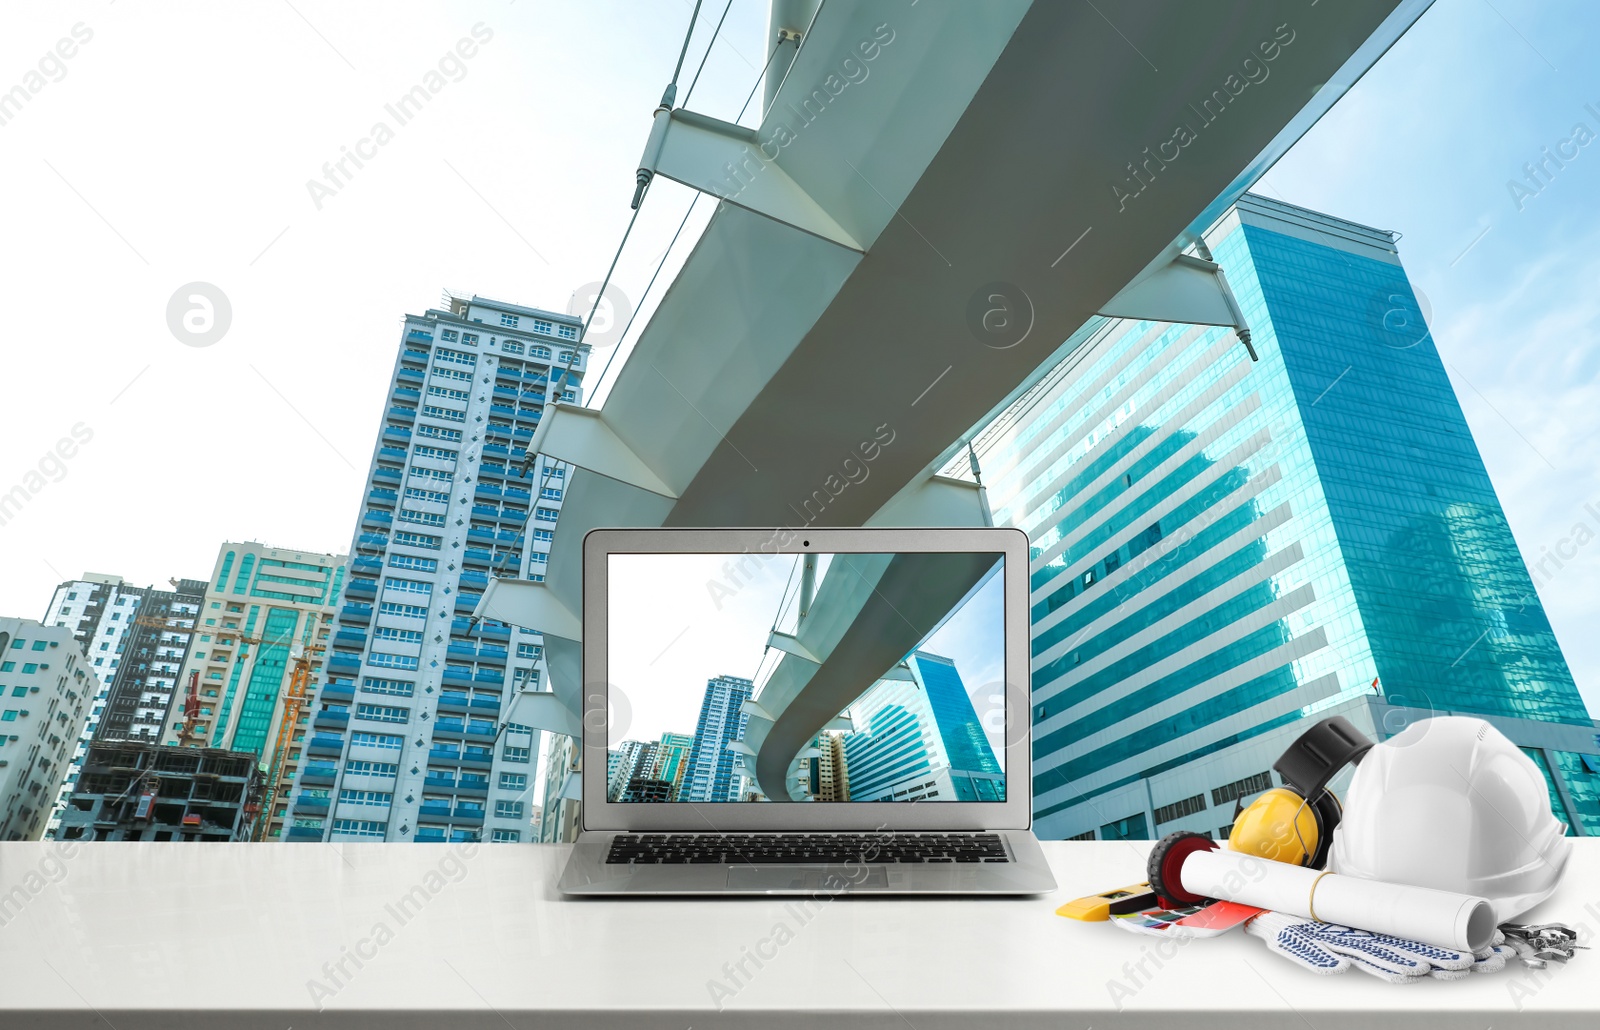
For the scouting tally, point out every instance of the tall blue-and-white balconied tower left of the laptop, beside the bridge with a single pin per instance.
(412, 724)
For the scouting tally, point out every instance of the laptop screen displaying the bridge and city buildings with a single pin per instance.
(806, 677)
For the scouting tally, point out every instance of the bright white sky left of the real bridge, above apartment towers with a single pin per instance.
(177, 148)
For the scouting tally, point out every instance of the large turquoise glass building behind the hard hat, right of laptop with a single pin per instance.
(1226, 551)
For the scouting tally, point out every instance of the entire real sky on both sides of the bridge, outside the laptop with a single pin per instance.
(177, 146)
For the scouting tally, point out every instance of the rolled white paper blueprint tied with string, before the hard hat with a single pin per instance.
(1417, 914)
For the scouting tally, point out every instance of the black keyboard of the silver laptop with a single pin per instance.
(793, 848)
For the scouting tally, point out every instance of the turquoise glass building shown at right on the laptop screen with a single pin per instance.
(919, 740)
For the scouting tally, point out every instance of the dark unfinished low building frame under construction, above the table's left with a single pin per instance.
(132, 791)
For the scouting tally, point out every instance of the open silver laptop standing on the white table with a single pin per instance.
(806, 711)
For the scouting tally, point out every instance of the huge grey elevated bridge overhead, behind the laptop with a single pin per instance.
(937, 199)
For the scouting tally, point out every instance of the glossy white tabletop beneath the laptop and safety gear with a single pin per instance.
(140, 936)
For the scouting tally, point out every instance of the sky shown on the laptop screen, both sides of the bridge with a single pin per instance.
(670, 637)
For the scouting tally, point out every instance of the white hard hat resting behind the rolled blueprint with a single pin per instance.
(1450, 804)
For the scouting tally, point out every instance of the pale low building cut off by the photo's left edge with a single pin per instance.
(46, 697)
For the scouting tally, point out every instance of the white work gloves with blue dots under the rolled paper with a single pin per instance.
(1329, 948)
